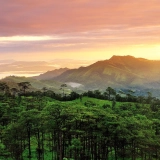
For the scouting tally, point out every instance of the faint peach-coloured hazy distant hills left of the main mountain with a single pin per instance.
(33, 68)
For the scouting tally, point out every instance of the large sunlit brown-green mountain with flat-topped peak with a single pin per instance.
(117, 72)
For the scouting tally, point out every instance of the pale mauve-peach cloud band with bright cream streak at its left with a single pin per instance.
(113, 35)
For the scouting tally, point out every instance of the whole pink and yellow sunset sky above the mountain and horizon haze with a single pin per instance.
(43, 30)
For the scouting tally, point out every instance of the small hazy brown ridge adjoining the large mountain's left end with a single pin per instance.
(50, 74)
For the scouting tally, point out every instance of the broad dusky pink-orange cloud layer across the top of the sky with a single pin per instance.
(56, 17)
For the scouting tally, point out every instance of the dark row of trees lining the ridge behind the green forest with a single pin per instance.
(108, 94)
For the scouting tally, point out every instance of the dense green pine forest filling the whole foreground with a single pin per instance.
(49, 126)
